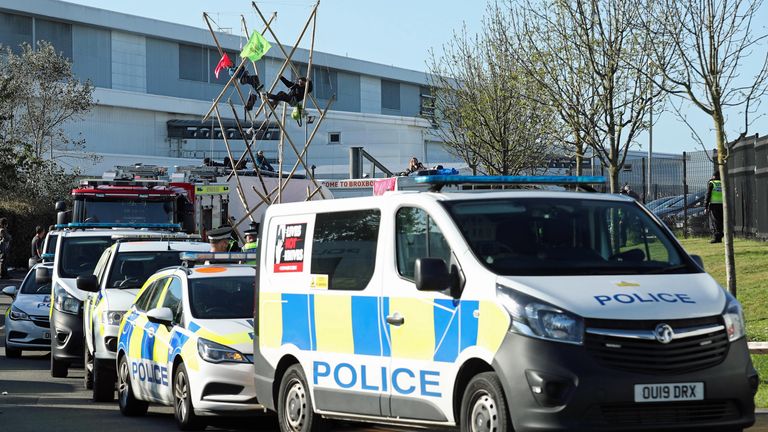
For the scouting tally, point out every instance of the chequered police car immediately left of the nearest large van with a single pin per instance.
(187, 340)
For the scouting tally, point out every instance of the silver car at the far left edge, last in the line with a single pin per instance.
(26, 321)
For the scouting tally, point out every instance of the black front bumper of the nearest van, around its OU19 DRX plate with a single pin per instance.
(577, 393)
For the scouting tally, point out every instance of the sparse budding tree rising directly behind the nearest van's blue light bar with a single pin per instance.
(483, 105)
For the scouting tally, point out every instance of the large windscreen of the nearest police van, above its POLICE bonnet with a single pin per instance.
(546, 236)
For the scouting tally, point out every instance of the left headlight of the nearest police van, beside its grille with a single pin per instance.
(534, 318)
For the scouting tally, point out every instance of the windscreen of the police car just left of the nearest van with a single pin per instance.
(221, 297)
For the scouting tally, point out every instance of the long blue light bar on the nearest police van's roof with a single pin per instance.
(438, 181)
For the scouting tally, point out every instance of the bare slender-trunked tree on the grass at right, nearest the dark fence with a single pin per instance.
(710, 41)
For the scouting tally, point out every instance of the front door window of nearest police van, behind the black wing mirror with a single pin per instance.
(418, 236)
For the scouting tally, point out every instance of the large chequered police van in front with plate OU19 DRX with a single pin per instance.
(497, 311)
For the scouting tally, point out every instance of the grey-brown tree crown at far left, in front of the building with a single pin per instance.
(45, 96)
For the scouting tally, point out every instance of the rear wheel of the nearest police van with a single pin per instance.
(294, 404)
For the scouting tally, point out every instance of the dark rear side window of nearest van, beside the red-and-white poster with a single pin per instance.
(344, 248)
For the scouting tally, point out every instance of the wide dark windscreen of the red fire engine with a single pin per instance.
(125, 210)
